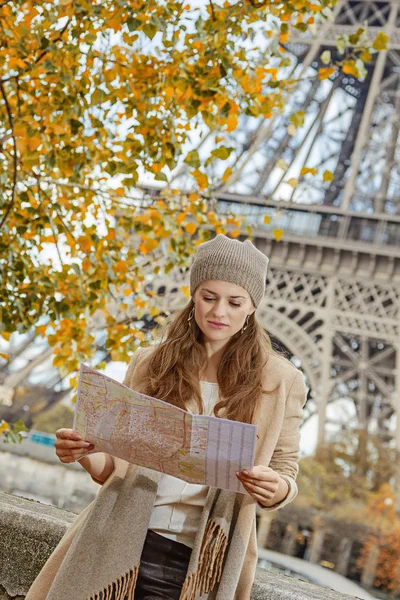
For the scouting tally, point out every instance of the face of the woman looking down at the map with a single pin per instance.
(221, 302)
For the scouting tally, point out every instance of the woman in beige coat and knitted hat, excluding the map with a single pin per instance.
(150, 536)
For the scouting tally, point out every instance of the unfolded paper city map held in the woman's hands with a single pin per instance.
(152, 433)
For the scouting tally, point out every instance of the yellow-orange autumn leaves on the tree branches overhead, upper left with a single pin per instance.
(97, 96)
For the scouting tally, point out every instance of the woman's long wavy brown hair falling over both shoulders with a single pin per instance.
(179, 357)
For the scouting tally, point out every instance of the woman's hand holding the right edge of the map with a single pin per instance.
(263, 484)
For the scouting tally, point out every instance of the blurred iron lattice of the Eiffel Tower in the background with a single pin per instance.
(333, 290)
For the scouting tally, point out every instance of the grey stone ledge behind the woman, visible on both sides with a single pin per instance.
(29, 532)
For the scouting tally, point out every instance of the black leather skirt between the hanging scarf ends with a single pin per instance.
(162, 570)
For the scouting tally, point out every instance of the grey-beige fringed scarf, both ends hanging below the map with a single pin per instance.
(100, 553)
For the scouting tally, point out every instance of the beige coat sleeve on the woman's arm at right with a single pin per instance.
(286, 454)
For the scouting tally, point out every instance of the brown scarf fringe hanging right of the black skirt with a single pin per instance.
(210, 563)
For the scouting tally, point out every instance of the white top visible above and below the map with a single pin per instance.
(178, 505)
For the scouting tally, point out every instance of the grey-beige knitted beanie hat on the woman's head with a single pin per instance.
(226, 259)
